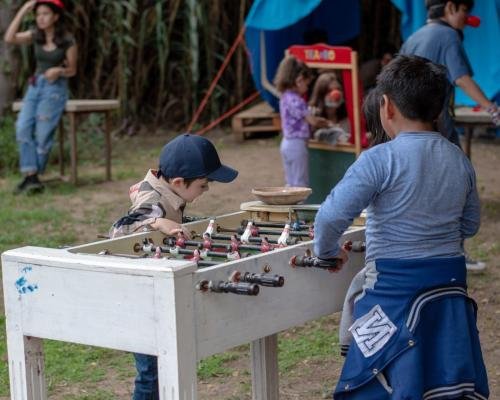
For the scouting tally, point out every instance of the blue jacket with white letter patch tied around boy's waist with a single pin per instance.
(414, 335)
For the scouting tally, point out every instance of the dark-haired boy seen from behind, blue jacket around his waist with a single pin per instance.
(408, 326)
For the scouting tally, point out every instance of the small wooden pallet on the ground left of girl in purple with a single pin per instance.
(259, 118)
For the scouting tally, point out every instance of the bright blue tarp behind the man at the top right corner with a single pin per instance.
(482, 44)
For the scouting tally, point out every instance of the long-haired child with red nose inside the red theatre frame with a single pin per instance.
(327, 101)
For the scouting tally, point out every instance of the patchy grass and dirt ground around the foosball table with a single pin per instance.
(309, 366)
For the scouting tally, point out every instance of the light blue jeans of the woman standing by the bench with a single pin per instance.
(42, 108)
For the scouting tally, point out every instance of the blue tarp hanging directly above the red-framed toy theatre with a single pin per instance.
(287, 22)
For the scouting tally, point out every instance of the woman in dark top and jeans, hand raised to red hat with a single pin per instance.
(43, 104)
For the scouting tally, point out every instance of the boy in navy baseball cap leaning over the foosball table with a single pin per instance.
(187, 164)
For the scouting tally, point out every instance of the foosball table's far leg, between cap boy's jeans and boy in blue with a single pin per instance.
(264, 357)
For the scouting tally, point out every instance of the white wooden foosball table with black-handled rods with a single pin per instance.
(151, 306)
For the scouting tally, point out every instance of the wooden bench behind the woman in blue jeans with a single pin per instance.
(72, 110)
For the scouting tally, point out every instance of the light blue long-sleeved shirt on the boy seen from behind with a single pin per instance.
(420, 194)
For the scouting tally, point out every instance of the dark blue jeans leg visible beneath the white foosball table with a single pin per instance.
(146, 381)
